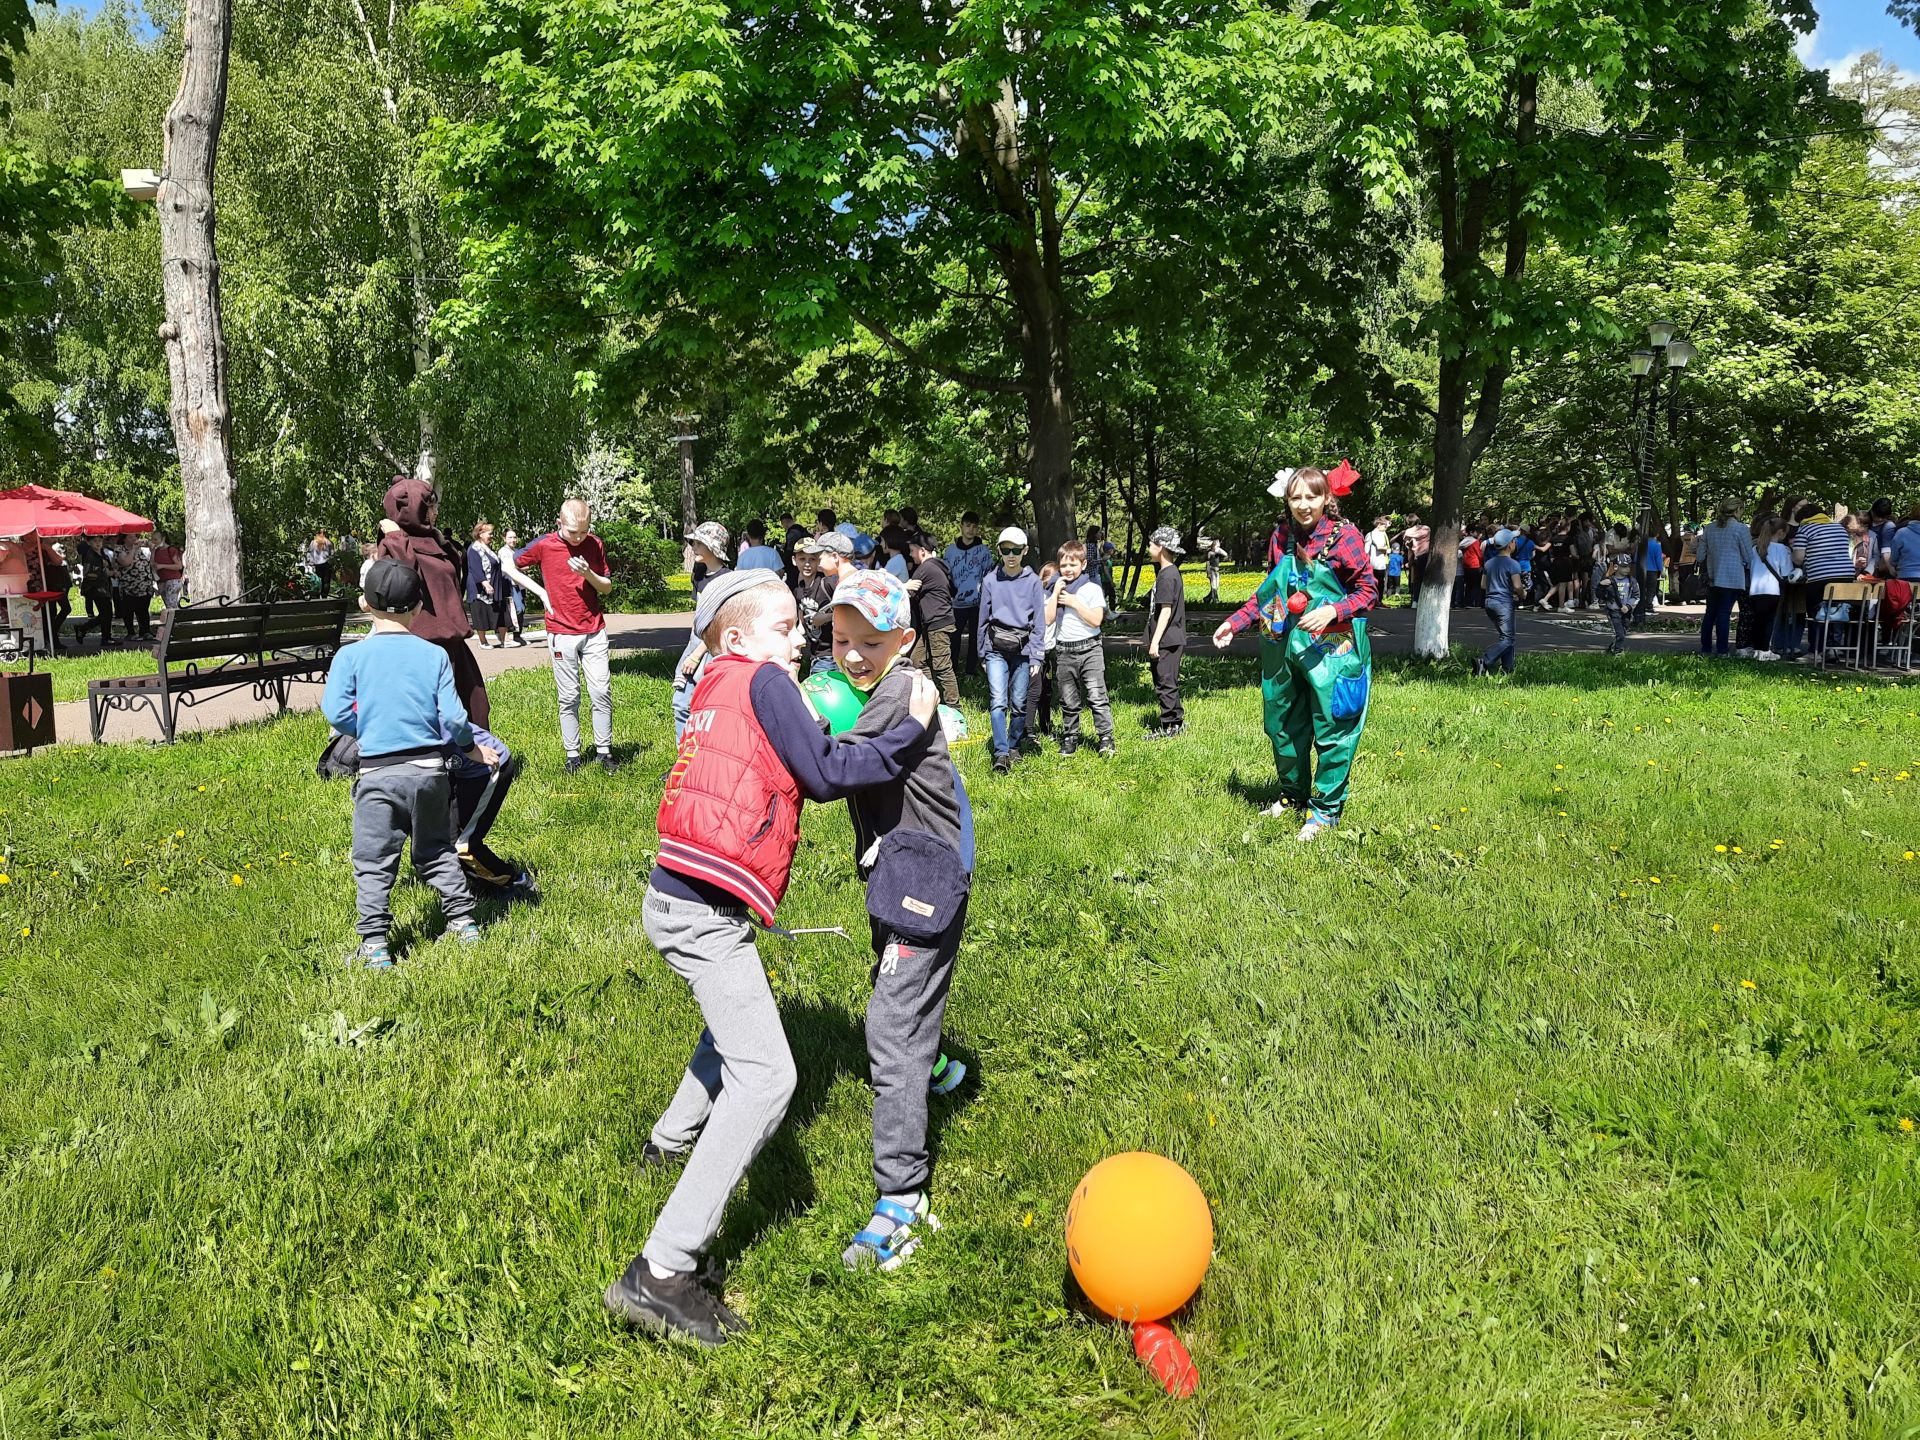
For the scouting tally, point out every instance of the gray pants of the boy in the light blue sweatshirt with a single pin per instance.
(391, 805)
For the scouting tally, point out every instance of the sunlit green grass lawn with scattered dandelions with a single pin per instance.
(1566, 1092)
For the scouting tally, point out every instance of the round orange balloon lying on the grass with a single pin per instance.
(1140, 1237)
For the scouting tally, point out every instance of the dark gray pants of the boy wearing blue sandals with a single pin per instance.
(903, 1040)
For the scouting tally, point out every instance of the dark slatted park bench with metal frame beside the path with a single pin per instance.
(266, 646)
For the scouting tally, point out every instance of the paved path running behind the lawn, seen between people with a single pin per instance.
(1393, 635)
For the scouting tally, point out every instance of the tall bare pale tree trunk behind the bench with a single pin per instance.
(191, 283)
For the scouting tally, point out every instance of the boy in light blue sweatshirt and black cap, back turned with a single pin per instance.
(395, 694)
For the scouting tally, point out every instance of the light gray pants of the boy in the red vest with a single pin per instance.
(738, 1082)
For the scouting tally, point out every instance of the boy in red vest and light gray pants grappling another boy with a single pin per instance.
(729, 825)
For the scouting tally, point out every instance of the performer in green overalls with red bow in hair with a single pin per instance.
(1316, 665)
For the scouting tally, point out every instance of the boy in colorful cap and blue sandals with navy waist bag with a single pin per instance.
(915, 846)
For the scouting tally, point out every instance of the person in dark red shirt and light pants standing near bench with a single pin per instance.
(573, 564)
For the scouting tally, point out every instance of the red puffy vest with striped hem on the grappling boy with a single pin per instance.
(732, 811)
